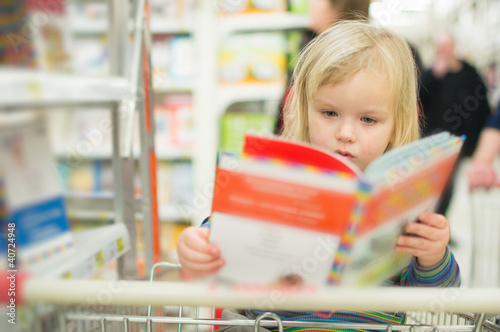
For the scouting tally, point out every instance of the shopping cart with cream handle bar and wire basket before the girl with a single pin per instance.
(188, 306)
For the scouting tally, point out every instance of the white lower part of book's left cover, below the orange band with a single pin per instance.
(261, 252)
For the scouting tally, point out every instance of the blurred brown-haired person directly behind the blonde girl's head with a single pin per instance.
(322, 14)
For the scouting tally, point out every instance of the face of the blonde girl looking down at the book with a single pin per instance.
(353, 119)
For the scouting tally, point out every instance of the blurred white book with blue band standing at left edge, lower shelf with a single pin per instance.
(33, 196)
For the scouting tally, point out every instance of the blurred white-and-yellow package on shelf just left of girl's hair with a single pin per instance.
(253, 57)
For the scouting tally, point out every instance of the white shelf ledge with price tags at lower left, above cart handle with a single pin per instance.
(93, 250)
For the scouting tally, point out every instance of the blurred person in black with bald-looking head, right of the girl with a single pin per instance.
(454, 98)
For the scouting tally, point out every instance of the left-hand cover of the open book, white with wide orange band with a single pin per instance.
(272, 221)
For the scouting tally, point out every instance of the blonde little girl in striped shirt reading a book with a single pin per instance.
(354, 95)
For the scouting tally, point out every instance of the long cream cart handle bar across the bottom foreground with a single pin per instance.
(209, 294)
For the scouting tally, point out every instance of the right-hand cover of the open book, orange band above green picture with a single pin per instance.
(387, 211)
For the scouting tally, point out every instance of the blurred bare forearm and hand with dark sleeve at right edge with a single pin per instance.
(481, 172)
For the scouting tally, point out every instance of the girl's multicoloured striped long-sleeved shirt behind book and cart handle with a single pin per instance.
(444, 274)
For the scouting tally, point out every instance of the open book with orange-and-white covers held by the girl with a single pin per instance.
(287, 212)
